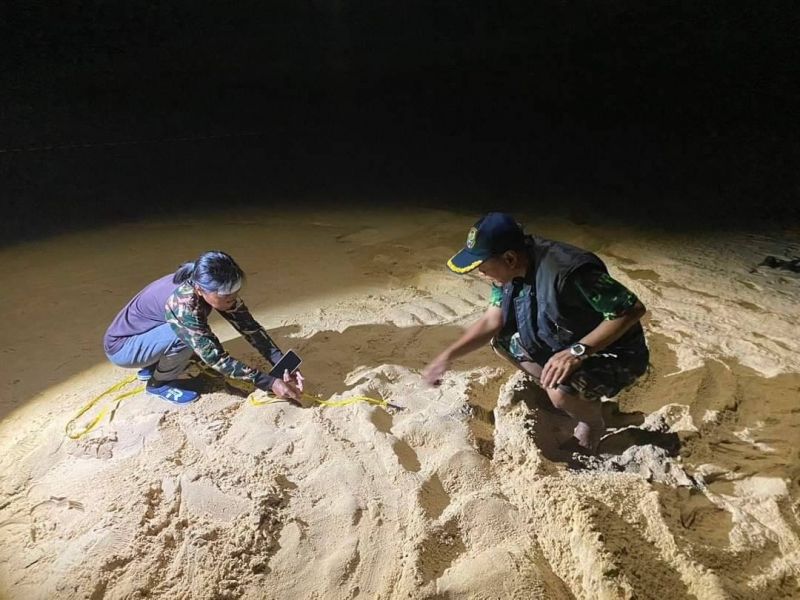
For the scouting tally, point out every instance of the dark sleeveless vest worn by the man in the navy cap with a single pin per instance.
(545, 322)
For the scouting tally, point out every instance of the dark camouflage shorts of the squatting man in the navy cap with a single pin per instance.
(604, 374)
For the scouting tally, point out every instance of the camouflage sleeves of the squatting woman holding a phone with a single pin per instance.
(187, 313)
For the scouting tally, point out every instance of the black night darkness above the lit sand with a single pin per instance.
(681, 114)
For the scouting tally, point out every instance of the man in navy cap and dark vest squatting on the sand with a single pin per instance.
(556, 314)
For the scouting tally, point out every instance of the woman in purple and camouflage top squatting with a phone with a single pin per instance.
(164, 324)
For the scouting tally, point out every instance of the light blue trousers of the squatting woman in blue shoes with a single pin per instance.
(159, 346)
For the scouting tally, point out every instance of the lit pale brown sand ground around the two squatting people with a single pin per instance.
(455, 492)
